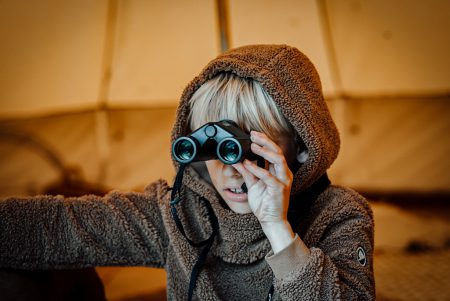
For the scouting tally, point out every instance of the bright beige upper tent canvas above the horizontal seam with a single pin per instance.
(71, 55)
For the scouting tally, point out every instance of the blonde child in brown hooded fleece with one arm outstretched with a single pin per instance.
(289, 235)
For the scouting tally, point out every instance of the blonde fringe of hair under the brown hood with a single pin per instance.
(243, 100)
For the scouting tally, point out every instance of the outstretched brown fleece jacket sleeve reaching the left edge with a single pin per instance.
(46, 232)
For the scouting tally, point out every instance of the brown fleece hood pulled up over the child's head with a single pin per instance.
(291, 80)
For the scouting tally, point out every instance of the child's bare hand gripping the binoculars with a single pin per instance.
(268, 189)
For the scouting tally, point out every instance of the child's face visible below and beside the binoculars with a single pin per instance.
(228, 181)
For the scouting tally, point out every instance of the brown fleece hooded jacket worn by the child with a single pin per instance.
(335, 229)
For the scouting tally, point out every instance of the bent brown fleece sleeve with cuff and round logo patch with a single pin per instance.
(339, 267)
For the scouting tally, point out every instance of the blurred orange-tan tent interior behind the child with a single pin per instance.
(89, 89)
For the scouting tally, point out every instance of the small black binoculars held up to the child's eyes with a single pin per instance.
(222, 140)
